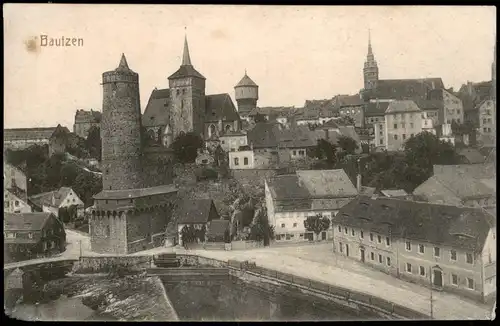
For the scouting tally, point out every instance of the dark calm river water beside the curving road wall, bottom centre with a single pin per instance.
(235, 301)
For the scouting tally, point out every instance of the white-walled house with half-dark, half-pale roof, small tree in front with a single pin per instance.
(290, 199)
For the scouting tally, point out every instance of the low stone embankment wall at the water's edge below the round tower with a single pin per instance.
(105, 264)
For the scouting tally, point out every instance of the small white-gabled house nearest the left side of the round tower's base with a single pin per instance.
(52, 201)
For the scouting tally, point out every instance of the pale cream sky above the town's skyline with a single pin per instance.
(292, 53)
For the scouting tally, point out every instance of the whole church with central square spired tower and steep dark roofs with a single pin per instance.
(184, 107)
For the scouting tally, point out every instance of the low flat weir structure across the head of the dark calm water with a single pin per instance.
(178, 274)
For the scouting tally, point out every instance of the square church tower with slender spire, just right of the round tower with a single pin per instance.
(187, 97)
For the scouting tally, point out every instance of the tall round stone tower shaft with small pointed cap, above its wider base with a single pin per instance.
(121, 129)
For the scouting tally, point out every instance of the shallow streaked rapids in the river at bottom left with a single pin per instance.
(99, 297)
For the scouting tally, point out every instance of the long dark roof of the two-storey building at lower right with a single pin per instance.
(464, 228)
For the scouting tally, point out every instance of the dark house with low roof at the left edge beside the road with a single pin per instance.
(32, 235)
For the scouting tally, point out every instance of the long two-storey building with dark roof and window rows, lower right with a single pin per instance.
(452, 248)
